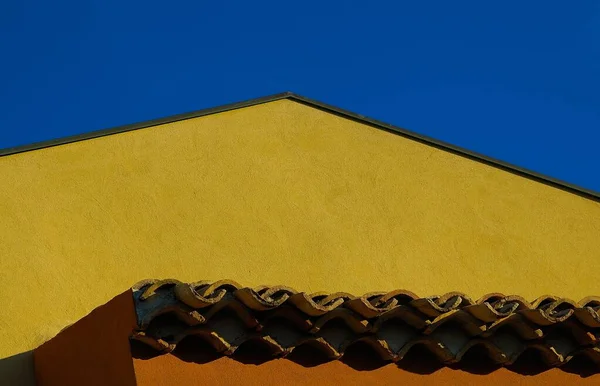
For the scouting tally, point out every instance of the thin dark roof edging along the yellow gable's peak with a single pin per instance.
(587, 193)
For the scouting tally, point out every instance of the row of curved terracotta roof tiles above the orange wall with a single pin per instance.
(226, 315)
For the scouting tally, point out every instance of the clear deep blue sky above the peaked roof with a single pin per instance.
(514, 80)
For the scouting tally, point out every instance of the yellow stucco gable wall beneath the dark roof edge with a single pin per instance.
(274, 193)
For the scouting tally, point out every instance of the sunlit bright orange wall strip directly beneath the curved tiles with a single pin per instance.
(168, 370)
